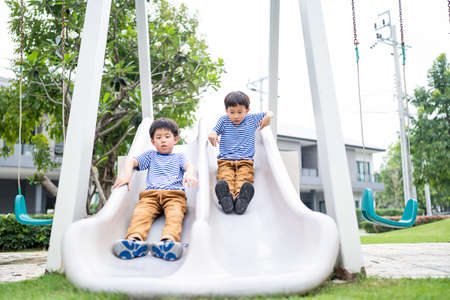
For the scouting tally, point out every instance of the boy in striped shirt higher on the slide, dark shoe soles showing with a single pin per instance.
(235, 172)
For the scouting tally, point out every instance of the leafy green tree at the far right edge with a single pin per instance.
(430, 132)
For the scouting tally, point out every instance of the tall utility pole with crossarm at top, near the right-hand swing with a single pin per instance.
(391, 40)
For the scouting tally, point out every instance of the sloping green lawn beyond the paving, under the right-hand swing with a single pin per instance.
(436, 232)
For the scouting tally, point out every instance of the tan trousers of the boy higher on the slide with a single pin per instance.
(235, 173)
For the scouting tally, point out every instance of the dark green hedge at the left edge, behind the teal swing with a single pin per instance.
(15, 236)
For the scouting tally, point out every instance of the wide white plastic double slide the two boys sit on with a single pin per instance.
(278, 246)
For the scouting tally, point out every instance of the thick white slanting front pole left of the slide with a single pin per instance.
(77, 158)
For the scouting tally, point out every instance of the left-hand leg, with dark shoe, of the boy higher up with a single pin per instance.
(225, 186)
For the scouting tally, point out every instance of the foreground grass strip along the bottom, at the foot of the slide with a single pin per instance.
(54, 286)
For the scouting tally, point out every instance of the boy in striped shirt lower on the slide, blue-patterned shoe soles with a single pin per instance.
(167, 175)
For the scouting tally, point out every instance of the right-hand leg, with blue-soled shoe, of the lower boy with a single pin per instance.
(174, 205)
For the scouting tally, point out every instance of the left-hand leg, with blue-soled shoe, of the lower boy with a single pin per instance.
(146, 210)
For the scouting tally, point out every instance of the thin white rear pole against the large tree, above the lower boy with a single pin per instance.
(144, 58)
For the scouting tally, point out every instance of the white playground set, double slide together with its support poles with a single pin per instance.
(278, 246)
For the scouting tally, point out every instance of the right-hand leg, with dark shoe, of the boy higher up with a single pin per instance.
(244, 185)
